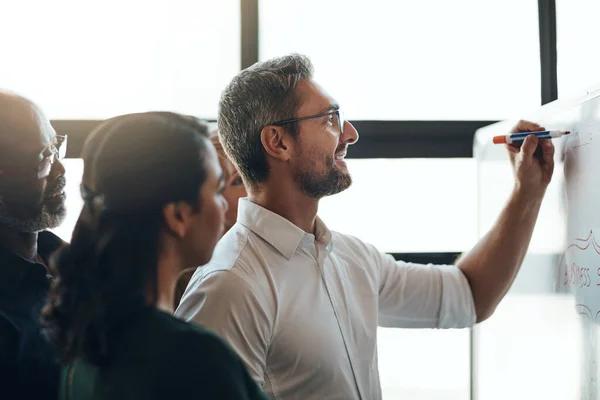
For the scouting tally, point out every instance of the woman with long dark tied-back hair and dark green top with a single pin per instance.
(153, 207)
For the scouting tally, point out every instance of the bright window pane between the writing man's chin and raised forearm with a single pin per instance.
(396, 204)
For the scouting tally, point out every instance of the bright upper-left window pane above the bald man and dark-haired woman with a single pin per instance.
(87, 60)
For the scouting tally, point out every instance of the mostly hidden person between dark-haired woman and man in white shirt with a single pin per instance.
(234, 190)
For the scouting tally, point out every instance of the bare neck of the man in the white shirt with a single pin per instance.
(290, 203)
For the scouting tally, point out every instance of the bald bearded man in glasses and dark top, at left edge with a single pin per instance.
(32, 200)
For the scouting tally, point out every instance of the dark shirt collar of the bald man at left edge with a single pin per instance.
(16, 271)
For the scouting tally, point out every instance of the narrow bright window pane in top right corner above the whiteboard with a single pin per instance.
(577, 32)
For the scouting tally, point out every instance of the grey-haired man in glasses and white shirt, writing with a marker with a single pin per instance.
(300, 303)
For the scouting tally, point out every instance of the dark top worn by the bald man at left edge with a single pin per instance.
(28, 367)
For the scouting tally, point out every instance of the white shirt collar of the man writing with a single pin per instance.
(280, 233)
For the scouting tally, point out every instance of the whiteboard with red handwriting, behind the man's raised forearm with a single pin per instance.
(542, 342)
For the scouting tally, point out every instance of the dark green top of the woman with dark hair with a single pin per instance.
(158, 356)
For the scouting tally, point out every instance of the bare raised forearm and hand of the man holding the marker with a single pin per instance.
(491, 266)
